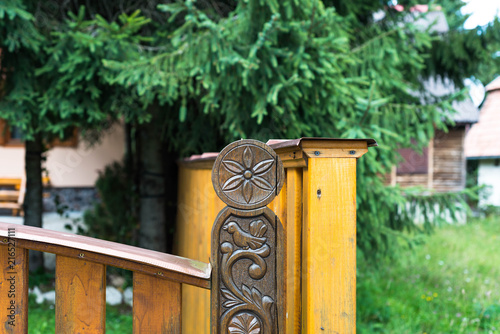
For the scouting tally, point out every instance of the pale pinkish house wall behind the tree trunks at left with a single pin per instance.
(69, 166)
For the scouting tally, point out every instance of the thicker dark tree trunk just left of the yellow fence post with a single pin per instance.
(152, 231)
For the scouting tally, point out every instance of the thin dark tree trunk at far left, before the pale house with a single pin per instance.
(33, 202)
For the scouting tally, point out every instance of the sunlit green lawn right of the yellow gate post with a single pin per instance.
(451, 284)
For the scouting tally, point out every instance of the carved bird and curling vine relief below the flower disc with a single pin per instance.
(248, 310)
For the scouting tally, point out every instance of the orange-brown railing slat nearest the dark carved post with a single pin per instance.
(156, 306)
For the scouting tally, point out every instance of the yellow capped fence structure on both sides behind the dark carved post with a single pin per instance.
(317, 207)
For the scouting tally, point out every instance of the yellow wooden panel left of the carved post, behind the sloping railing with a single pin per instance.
(198, 206)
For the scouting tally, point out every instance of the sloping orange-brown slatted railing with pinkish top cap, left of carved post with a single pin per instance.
(81, 281)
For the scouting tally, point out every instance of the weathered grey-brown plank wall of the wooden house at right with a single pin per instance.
(449, 160)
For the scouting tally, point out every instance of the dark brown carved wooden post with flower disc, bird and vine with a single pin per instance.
(247, 242)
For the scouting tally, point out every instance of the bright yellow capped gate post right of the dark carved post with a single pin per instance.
(326, 233)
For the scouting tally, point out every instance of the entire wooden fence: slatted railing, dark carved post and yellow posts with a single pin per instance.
(293, 271)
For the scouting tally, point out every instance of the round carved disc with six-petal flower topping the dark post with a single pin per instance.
(247, 174)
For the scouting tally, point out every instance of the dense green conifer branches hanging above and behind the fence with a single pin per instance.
(217, 71)
